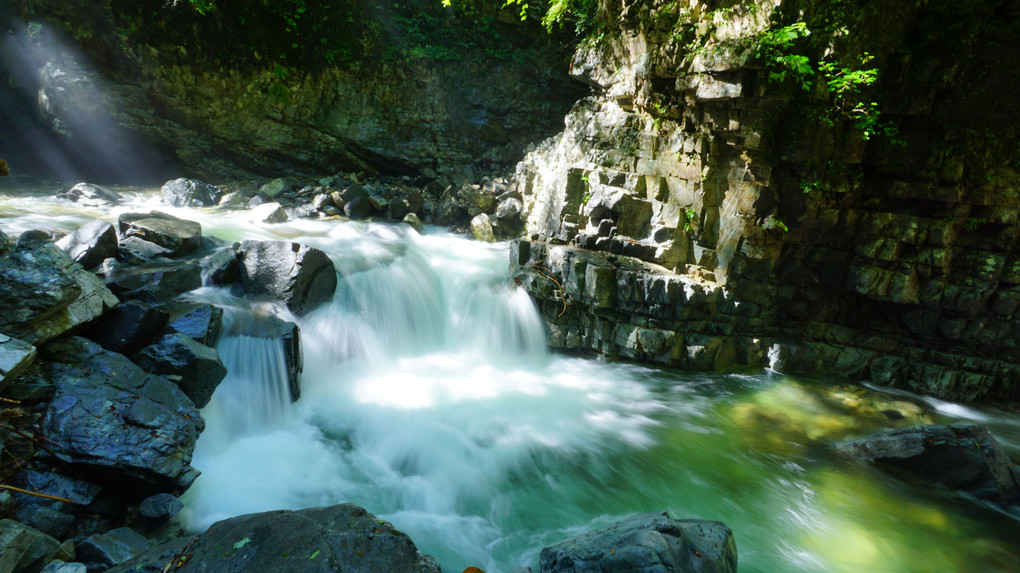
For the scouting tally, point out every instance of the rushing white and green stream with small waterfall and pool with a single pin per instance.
(430, 399)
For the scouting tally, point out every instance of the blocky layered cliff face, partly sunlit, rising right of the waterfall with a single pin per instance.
(701, 211)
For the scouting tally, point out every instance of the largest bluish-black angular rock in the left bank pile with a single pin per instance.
(128, 428)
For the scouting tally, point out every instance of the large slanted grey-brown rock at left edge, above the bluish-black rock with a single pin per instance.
(46, 294)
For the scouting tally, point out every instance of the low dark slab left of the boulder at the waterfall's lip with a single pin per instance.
(158, 283)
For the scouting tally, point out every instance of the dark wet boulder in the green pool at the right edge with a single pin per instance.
(962, 457)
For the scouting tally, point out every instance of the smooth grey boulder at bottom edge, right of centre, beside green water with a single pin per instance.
(648, 544)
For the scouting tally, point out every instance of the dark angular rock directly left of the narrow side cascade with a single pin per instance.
(196, 367)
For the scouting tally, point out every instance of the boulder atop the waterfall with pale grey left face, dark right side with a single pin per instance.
(300, 277)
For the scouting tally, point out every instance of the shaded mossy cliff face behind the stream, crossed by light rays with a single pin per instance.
(272, 88)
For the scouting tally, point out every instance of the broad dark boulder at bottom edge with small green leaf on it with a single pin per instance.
(343, 538)
